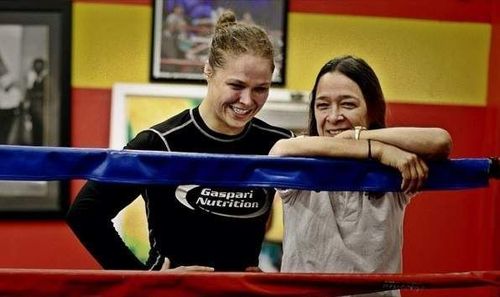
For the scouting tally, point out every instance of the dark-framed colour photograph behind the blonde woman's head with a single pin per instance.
(182, 30)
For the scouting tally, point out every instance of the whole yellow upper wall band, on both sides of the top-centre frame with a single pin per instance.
(418, 61)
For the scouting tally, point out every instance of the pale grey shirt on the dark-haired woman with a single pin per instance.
(343, 232)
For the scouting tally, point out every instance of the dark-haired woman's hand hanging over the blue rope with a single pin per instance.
(413, 169)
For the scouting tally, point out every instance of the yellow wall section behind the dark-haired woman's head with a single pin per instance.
(418, 61)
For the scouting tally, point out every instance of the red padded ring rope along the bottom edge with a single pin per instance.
(49, 283)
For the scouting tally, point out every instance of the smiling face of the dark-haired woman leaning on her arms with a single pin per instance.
(339, 105)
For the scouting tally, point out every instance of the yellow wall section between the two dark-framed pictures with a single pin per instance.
(111, 43)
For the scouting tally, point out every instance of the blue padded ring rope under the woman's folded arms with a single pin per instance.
(148, 167)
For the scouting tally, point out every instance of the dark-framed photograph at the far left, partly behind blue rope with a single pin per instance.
(35, 39)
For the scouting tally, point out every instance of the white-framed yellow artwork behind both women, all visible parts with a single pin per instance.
(136, 107)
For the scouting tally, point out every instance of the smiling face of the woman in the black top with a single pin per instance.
(236, 92)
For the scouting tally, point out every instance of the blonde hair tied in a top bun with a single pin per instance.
(235, 38)
